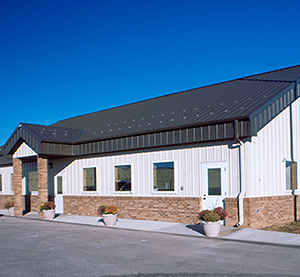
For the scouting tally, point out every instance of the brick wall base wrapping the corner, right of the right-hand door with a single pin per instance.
(263, 211)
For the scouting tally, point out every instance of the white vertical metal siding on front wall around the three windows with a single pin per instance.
(187, 169)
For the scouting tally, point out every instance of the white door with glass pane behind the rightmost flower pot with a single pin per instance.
(214, 177)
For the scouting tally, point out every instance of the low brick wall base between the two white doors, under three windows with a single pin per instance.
(168, 209)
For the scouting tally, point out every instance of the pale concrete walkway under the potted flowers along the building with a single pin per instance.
(226, 233)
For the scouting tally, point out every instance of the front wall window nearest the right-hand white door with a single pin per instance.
(163, 176)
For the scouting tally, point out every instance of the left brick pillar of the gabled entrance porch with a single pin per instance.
(18, 197)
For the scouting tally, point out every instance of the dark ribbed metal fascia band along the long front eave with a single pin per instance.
(223, 131)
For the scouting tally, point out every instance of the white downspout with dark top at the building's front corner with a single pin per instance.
(242, 174)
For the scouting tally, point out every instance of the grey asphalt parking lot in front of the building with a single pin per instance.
(43, 248)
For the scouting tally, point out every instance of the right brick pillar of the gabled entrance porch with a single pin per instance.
(42, 165)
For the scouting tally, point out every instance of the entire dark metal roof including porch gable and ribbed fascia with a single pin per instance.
(192, 116)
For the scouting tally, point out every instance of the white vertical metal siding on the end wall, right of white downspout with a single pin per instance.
(265, 166)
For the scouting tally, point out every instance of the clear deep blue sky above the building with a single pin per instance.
(60, 59)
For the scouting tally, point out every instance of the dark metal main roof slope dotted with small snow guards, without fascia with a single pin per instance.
(221, 102)
